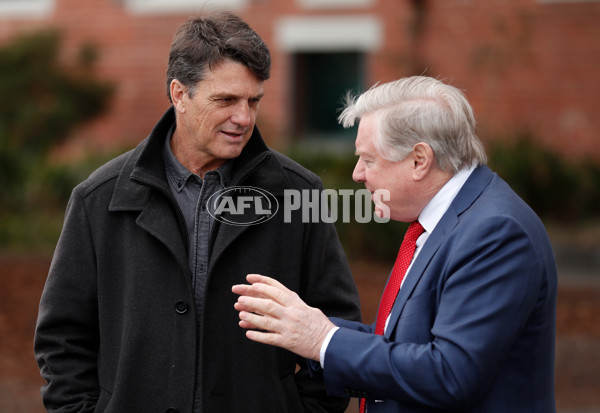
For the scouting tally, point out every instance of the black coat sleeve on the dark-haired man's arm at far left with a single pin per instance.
(66, 336)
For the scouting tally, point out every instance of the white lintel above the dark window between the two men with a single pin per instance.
(338, 33)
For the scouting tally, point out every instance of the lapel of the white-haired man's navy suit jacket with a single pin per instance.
(471, 190)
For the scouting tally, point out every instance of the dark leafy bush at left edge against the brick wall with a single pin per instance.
(43, 100)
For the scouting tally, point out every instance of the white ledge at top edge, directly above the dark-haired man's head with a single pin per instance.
(181, 6)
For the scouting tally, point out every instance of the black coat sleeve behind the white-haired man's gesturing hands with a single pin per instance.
(327, 284)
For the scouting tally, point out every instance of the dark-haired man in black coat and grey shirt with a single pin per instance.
(137, 312)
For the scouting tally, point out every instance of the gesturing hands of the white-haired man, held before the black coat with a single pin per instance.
(277, 316)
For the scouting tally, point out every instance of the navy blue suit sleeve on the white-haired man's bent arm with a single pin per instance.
(488, 282)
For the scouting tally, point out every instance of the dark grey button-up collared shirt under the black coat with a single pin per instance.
(191, 193)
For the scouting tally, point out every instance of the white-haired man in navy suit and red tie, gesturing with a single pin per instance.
(467, 319)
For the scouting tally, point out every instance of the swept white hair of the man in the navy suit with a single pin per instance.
(420, 109)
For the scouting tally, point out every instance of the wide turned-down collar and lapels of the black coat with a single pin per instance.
(142, 185)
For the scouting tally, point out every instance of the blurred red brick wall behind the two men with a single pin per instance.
(524, 65)
